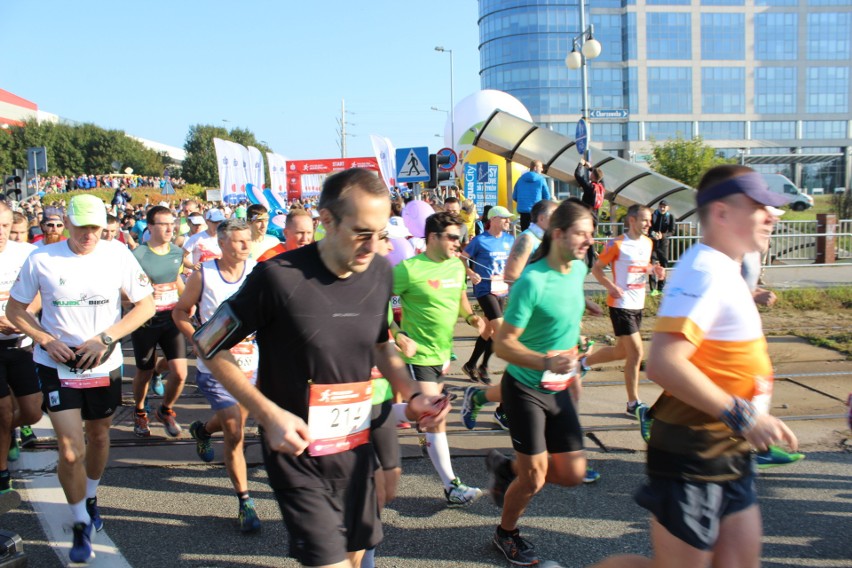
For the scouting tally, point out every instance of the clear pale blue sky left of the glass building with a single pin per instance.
(278, 68)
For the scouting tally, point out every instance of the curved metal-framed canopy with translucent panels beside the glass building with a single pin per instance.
(519, 140)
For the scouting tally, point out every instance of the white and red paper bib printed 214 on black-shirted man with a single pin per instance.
(339, 417)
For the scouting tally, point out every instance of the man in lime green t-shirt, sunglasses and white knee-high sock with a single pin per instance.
(432, 289)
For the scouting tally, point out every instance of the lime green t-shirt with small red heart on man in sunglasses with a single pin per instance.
(430, 293)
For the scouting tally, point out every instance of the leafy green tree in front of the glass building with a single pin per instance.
(685, 160)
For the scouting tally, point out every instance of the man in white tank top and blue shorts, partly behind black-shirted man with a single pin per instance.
(207, 288)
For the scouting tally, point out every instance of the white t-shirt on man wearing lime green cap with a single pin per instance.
(80, 294)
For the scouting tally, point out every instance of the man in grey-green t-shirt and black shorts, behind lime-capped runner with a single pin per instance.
(162, 262)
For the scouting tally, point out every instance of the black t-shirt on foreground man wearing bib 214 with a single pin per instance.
(312, 326)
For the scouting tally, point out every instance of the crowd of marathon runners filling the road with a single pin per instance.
(301, 335)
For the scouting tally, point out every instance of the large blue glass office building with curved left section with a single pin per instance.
(766, 81)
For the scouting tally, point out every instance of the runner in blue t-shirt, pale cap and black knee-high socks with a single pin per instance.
(488, 252)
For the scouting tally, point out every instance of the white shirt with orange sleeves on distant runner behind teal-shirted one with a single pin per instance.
(630, 260)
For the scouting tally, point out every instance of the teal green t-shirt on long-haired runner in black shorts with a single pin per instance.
(548, 306)
